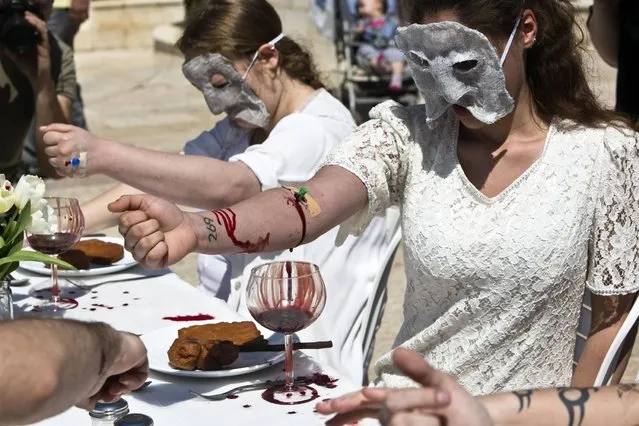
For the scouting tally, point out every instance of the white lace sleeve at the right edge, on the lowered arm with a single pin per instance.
(614, 256)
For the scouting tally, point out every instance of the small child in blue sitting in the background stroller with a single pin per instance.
(375, 33)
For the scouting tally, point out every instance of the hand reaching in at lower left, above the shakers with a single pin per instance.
(125, 372)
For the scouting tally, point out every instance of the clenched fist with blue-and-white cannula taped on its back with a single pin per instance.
(72, 151)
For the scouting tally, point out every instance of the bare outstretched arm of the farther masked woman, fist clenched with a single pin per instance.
(195, 181)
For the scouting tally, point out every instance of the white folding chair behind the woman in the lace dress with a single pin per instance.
(611, 360)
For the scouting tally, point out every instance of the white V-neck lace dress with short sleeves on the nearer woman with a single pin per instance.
(494, 285)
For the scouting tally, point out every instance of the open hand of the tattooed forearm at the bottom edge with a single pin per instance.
(439, 401)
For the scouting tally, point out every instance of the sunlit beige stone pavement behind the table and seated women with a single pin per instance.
(141, 98)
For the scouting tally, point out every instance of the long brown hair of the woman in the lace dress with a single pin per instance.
(555, 70)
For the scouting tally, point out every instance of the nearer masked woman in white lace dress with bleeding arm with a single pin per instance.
(505, 224)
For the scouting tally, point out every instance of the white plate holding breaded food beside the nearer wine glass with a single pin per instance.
(159, 341)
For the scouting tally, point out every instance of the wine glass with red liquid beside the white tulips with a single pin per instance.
(66, 225)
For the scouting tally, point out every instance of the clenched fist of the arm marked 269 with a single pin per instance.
(155, 231)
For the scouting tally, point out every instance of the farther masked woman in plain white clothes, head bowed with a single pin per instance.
(280, 125)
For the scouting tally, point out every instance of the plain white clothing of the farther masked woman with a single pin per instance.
(290, 155)
